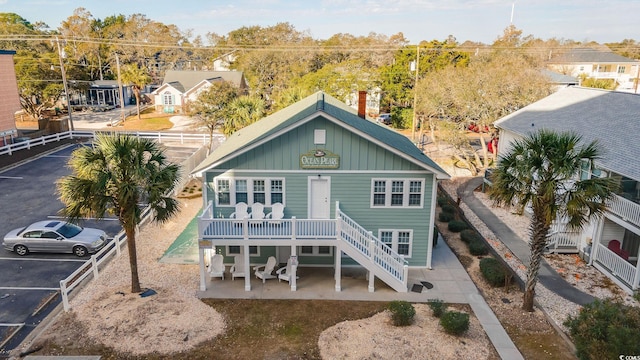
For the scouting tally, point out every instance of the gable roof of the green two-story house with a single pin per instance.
(307, 109)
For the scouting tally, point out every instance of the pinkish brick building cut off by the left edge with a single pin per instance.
(10, 102)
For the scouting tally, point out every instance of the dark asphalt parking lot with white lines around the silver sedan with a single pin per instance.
(29, 285)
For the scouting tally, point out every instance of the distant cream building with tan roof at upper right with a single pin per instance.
(598, 65)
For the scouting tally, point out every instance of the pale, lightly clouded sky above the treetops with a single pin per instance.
(481, 20)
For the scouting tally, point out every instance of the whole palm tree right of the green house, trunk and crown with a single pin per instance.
(543, 170)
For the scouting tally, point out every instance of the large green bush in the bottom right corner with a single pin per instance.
(605, 329)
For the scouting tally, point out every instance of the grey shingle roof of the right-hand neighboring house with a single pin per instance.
(612, 118)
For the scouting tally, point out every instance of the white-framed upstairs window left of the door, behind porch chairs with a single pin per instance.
(231, 191)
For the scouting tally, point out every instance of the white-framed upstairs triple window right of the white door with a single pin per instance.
(397, 192)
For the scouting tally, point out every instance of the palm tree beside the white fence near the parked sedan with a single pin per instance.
(113, 177)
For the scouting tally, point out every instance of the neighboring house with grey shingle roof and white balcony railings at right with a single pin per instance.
(611, 118)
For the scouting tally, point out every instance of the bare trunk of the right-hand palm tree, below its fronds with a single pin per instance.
(537, 245)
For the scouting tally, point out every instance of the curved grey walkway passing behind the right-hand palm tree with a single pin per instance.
(547, 276)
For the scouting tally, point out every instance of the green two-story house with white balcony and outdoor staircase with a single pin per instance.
(354, 193)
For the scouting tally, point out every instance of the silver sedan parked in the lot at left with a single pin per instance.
(54, 236)
